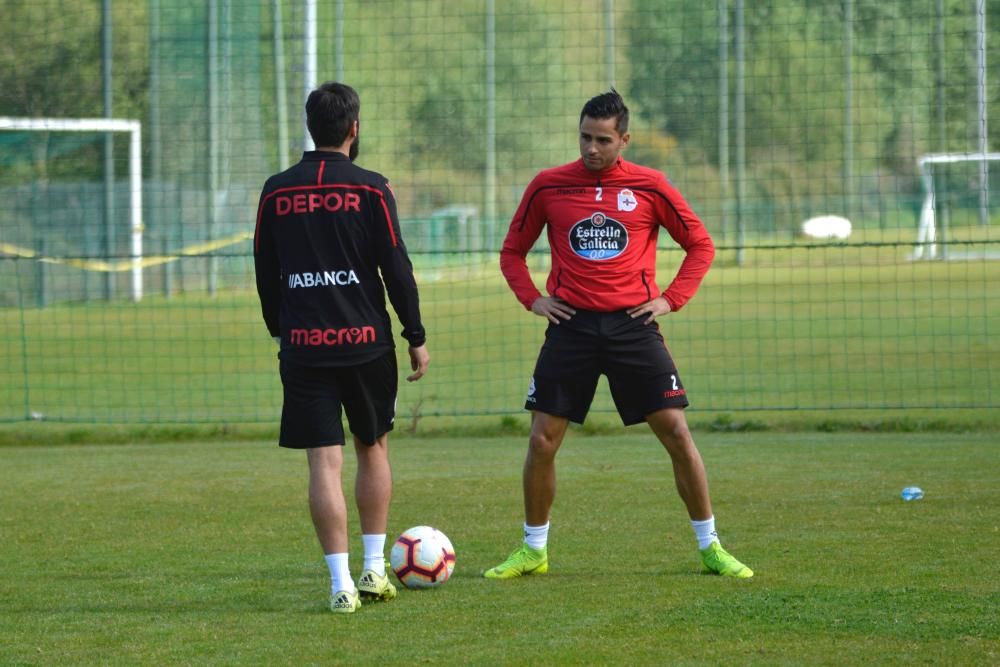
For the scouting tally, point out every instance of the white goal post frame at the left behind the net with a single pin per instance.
(134, 130)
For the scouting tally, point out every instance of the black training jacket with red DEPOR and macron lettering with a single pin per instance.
(327, 249)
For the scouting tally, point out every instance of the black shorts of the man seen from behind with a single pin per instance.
(314, 395)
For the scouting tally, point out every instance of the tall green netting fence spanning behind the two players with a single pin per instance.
(765, 115)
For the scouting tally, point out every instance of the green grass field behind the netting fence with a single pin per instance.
(818, 327)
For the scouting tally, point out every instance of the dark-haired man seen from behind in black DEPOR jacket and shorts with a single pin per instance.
(327, 248)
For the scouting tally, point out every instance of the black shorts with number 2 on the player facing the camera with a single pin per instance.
(631, 354)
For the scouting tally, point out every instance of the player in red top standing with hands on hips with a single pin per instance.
(603, 215)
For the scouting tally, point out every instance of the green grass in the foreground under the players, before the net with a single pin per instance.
(203, 553)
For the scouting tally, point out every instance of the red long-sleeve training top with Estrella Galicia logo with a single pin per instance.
(602, 230)
